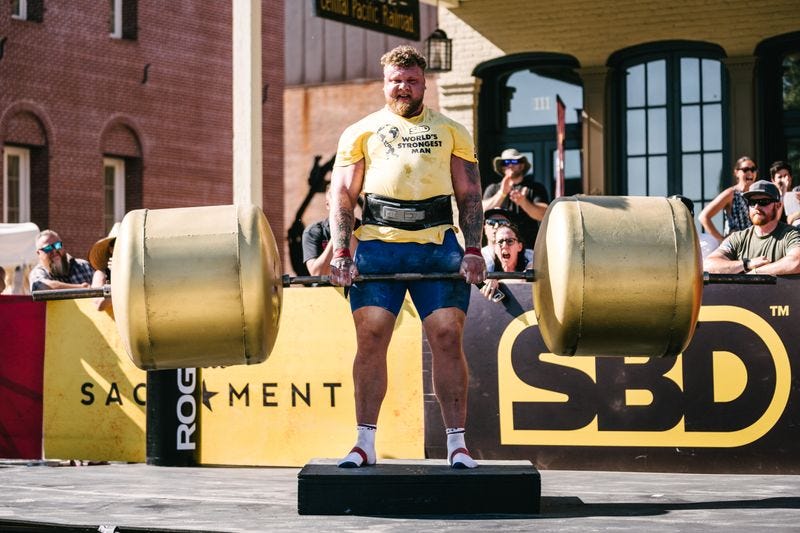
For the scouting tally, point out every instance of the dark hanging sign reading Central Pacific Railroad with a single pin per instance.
(394, 17)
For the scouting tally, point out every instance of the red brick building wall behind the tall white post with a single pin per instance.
(171, 89)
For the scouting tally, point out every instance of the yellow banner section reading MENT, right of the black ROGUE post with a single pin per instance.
(298, 404)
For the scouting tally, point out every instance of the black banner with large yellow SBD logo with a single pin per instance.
(727, 404)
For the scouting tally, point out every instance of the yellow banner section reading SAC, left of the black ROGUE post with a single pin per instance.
(94, 397)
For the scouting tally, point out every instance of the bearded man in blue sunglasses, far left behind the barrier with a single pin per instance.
(56, 268)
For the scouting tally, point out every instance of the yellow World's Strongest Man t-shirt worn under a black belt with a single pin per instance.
(405, 159)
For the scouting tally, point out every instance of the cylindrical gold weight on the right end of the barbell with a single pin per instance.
(617, 275)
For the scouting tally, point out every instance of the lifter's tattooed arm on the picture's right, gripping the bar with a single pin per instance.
(467, 188)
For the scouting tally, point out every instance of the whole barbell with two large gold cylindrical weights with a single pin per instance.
(203, 286)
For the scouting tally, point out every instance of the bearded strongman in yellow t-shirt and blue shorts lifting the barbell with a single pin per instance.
(409, 161)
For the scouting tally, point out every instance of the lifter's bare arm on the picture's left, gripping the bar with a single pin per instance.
(345, 187)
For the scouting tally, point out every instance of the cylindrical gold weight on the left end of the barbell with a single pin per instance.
(196, 287)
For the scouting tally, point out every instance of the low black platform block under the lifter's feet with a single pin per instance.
(418, 487)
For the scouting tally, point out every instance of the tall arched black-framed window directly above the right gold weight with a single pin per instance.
(672, 129)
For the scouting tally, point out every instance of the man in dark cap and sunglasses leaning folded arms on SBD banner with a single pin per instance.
(769, 246)
